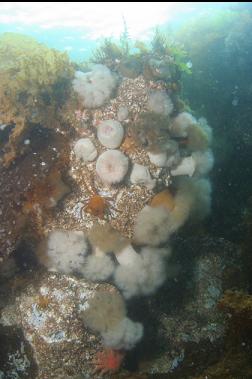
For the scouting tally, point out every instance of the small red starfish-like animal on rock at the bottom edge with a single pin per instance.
(108, 361)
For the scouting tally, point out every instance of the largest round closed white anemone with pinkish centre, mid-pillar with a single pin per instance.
(112, 166)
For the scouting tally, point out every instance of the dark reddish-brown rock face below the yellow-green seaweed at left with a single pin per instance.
(28, 187)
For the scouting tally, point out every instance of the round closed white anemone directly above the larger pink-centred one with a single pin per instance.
(110, 133)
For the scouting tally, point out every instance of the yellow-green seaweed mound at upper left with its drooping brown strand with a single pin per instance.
(35, 86)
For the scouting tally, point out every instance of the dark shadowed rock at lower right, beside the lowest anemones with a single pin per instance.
(191, 326)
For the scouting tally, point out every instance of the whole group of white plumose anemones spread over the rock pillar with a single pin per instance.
(136, 272)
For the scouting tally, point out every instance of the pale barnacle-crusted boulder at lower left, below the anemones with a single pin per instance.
(50, 320)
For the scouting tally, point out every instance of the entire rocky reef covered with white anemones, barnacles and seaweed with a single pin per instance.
(104, 182)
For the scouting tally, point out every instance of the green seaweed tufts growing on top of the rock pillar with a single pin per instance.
(160, 59)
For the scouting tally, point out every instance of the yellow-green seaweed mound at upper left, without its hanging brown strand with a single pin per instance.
(31, 74)
